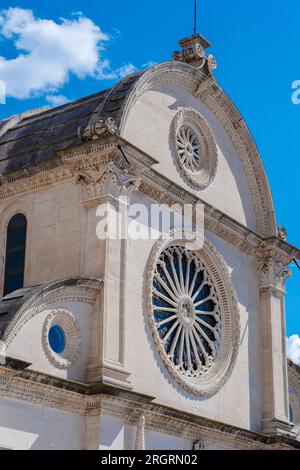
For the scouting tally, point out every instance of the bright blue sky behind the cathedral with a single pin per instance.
(256, 44)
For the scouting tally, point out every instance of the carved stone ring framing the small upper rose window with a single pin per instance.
(191, 119)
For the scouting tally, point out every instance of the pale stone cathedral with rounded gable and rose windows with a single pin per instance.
(158, 342)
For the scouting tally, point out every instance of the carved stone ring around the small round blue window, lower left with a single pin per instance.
(65, 320)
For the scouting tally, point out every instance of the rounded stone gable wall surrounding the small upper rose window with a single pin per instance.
(240, 189)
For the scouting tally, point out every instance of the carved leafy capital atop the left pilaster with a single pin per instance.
(110, 180)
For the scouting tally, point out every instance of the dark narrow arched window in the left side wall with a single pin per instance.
(15, 254)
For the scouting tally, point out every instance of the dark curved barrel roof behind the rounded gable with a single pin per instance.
(29, 139)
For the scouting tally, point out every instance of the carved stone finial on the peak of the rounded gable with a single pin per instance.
(193, 53)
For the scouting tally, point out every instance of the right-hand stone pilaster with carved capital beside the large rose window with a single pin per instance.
(272, 279)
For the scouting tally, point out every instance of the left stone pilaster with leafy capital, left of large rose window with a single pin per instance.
(105, 194)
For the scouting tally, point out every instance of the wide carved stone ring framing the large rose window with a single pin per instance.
(218, 374)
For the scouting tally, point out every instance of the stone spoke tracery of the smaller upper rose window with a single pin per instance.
(188, 150)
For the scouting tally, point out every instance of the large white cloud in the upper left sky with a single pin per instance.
(50, 52)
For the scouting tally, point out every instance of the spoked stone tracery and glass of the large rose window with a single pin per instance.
(186, 311)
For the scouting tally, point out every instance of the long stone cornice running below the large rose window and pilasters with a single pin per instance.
(39, 388)
